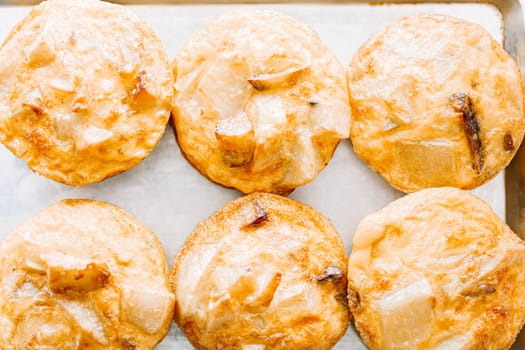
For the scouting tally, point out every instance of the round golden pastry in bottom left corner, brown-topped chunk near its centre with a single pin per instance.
(83, 274)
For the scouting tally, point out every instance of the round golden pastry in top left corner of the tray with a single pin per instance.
(85, 90)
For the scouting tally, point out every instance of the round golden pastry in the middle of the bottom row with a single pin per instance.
(263, 272)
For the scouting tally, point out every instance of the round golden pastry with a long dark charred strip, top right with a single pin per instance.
(436, 101)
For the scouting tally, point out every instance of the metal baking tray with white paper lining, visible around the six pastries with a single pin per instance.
(170, 197)
